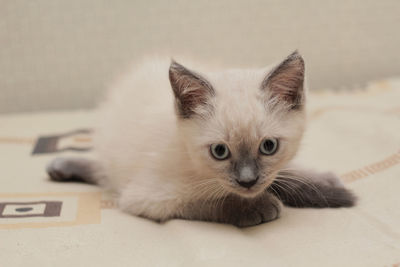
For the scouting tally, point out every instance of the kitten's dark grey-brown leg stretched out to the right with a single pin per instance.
(304, 188)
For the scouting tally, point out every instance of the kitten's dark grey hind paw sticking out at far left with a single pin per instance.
(73, 169)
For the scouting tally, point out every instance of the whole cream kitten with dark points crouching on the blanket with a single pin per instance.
(216, 148)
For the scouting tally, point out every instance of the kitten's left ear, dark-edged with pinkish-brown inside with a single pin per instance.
(192, 92)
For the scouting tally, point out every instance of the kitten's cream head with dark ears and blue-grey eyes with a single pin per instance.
(240, 127)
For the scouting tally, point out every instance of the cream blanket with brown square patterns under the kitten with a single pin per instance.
(355, 134)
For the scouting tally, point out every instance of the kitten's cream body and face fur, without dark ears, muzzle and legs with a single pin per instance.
(157, 163)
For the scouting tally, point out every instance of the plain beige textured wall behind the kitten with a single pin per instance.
(61, 54)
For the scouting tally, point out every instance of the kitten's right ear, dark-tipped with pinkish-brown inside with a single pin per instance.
(285, 81)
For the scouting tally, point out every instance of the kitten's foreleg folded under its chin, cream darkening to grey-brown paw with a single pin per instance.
(160, 201)
